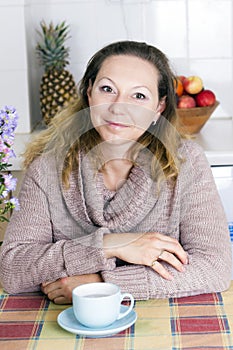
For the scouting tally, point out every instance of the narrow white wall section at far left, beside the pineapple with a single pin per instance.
(13, 61)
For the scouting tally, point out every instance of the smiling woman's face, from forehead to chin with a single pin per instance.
(124, 98)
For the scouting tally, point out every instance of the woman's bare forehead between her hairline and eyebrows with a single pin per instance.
(128, 66)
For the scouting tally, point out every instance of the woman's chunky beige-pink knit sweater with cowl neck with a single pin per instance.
(59, 232)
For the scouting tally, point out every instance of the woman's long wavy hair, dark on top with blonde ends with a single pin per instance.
(71, 131)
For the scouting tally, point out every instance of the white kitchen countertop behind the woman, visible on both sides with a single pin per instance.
(216, 138)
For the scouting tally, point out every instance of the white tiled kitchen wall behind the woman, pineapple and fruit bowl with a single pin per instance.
(196, 35)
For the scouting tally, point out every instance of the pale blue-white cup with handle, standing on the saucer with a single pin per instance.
(97, 305)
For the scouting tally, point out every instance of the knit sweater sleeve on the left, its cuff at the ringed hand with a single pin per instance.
(31, 254)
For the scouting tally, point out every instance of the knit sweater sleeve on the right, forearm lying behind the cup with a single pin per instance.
(203, 233)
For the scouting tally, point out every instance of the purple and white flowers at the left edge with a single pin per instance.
(8, 123)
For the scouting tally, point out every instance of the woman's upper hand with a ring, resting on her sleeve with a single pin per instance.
(145, 249)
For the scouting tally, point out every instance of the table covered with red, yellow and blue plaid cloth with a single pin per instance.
(28, 321)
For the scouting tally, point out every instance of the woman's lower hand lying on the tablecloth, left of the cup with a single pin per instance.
(60, 291)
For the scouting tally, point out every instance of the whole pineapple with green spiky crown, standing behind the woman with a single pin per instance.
(57, 85)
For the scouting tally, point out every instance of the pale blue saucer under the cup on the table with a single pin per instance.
(67, 321)
